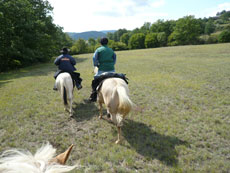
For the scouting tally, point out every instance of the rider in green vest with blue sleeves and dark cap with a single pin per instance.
(104, 59)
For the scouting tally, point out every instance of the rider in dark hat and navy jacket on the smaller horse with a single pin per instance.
(66, 63)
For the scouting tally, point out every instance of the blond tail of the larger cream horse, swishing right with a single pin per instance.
(125, 104)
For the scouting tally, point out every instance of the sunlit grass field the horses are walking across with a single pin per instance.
(181, 122)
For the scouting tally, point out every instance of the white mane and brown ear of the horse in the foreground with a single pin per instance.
(43, 161)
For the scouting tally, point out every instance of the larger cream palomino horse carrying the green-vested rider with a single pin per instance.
(114, 93)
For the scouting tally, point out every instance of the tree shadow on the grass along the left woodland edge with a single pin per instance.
(33, 70)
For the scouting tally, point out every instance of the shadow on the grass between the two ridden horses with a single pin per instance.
(84, 111)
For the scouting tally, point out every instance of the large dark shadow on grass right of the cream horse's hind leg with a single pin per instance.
(151, 144)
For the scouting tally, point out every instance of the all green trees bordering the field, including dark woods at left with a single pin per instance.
(28, 34)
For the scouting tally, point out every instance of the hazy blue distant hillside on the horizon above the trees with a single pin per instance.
(89, 34)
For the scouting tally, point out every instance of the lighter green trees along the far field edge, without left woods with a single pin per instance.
(184, 31)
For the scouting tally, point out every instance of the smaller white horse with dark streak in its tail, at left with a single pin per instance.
(64, 85)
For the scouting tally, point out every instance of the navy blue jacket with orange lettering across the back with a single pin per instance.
(65, 62)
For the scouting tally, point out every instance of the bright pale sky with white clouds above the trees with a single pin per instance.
(98, 15)
